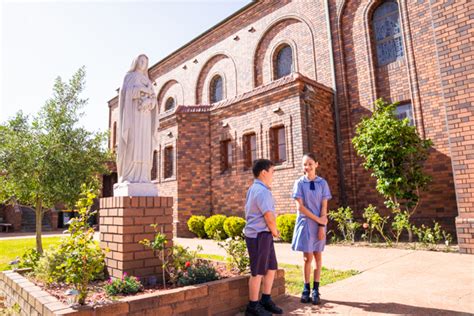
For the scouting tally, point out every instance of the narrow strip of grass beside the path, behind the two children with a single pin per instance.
(294, 278)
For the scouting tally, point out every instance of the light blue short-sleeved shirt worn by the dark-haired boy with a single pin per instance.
(259, 201)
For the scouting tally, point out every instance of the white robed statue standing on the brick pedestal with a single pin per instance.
(135, 131)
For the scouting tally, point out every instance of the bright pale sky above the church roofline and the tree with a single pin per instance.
(41, 40)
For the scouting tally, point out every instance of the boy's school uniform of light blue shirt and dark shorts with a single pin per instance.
(258, 237)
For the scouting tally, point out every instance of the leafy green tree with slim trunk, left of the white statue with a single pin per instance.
(44, 161)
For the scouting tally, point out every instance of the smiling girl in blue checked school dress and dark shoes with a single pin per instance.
(311, 194)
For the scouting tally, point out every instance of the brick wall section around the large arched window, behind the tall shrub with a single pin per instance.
(413, 78)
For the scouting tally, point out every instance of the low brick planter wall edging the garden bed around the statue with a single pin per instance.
(222, 297)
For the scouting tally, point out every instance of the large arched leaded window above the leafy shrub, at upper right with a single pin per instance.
(387, 32)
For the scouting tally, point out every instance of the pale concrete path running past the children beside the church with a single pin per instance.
(392, 281)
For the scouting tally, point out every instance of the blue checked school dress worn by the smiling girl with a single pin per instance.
(305, 235)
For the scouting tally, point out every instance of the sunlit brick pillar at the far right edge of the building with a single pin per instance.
(453, 29)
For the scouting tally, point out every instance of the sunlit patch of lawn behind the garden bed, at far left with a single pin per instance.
(10, 249)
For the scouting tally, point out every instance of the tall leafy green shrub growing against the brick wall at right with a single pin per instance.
(394, 153)
